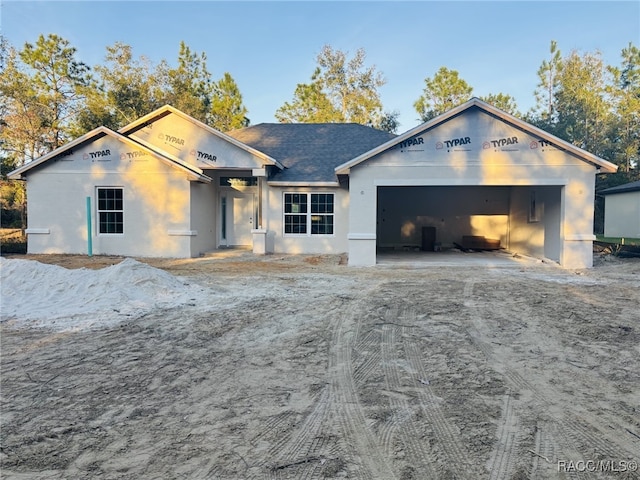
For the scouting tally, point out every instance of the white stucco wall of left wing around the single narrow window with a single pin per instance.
(156, 202)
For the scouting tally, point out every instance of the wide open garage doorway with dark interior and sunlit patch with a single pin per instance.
(432, 219)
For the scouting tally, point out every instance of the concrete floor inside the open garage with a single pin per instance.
(456, 258)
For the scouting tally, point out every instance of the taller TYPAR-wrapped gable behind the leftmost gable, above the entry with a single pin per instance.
(171, 130)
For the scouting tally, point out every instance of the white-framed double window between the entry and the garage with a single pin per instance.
(308, 213)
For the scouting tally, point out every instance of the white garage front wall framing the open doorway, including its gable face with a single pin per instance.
(476, 149)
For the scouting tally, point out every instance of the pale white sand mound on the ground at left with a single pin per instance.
(41, 295)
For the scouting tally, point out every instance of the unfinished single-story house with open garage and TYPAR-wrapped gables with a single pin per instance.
(169, 185)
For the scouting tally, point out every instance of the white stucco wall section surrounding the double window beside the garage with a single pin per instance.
(274, 223)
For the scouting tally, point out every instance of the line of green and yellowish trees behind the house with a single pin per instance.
(49, 96)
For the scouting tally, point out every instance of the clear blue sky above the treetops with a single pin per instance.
(269, 47)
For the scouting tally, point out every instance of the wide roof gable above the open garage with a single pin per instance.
(458, 140)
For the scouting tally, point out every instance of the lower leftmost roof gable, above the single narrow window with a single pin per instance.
(133, 149)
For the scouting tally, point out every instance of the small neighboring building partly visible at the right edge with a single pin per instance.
(622, 210)
